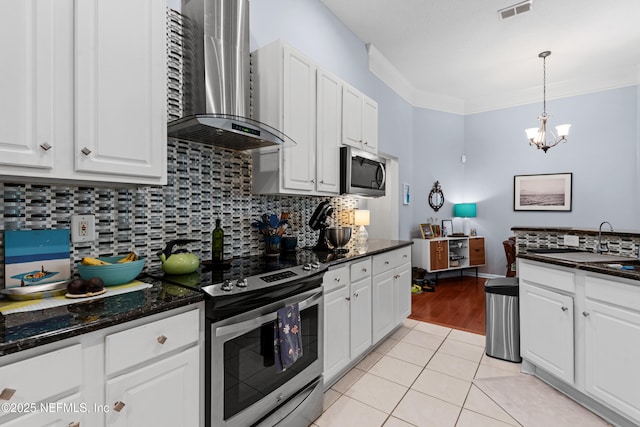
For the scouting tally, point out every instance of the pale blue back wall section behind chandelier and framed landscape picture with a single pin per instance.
(601, 152)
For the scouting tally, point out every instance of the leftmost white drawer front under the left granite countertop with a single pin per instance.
(41, 377)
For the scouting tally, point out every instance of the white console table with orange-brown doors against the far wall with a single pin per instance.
(448, 253)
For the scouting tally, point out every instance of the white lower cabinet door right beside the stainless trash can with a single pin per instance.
(547, 330)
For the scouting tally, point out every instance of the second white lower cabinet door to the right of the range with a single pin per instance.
(360, 317)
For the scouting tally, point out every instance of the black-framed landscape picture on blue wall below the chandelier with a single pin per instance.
(545, 192)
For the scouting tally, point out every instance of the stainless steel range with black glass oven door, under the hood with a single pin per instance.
(244, 386)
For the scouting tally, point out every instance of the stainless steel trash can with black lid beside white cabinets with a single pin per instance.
(502, 319)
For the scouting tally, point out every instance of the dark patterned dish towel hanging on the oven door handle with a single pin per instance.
(287, 336)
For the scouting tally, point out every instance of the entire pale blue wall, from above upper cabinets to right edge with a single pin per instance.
(602, 151)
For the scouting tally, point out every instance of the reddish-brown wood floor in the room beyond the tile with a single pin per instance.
(457, 303)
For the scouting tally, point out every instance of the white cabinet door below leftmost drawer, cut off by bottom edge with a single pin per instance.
(67, 412)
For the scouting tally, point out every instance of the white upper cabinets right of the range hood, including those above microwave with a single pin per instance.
(316, 109)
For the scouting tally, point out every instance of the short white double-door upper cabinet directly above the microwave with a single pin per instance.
(359, 120)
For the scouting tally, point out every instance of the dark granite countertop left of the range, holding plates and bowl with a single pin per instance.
(21, 331)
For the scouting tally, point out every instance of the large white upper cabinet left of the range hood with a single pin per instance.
(86, 90)
